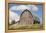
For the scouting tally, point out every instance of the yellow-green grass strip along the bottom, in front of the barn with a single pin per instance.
(21, 27)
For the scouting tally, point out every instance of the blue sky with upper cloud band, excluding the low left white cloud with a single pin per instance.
(36, 10)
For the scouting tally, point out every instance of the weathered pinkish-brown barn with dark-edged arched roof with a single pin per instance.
(26, 17)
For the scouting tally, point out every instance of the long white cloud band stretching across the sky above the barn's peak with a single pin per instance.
(23, 7)
